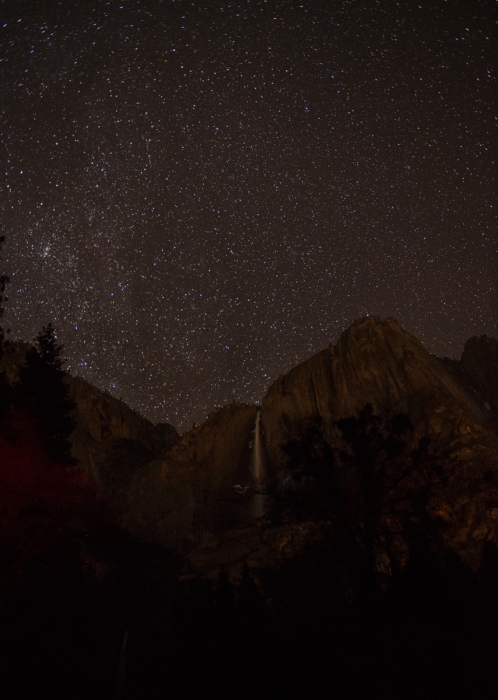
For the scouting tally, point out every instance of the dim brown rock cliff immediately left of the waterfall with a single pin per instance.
(193, 493)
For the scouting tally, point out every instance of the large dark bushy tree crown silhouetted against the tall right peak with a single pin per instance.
(375, 485)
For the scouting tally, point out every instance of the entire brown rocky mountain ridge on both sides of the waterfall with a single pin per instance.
(193, 492)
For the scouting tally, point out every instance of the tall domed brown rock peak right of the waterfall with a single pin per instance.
(376, 362)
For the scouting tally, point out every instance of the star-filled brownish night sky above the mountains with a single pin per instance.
(200, 195)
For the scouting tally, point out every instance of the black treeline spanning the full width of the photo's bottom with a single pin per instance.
(135, 634)
